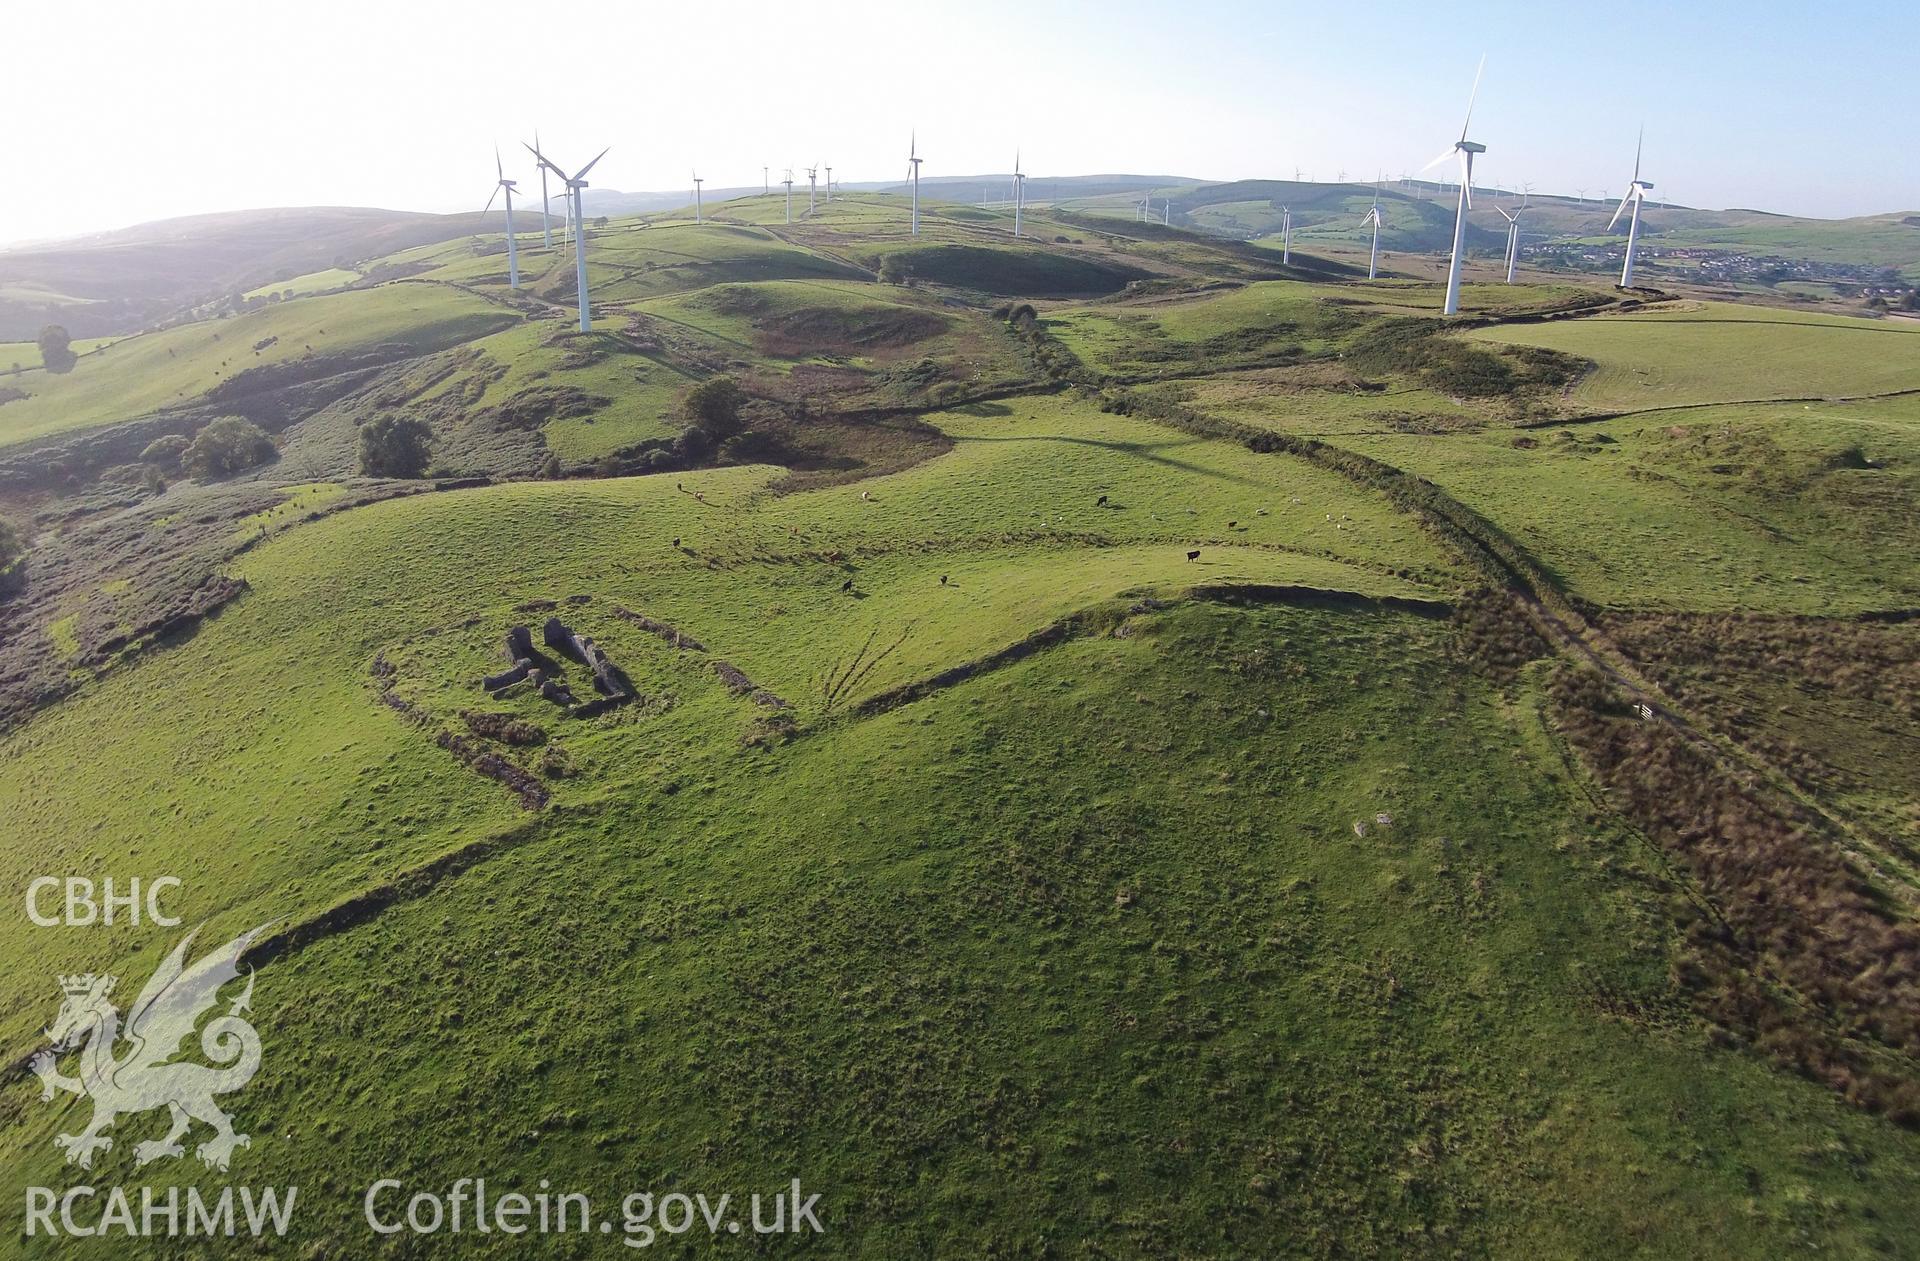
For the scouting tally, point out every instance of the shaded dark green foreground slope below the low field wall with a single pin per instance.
(1308, 1043)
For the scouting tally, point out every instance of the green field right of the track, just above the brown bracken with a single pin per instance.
(1779, 510)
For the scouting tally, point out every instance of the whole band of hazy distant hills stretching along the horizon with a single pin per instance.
(122, 281)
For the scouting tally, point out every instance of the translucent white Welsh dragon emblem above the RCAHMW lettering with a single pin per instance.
(143, 1076)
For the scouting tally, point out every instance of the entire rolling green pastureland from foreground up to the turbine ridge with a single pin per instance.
(1065, 815)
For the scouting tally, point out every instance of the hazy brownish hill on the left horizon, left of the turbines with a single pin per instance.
(120, 281)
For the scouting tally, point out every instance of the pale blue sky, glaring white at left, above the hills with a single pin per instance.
(160, 108)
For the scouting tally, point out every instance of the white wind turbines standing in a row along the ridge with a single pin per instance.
(1462, 151)
